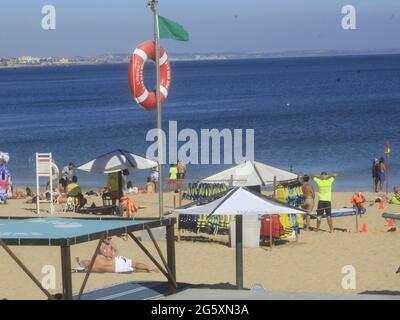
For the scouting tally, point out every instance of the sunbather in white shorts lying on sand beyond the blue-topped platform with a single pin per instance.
(108, 261)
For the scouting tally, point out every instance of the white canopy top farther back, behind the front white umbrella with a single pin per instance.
(251, 173)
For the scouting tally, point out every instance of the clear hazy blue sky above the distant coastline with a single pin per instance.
(96, 27)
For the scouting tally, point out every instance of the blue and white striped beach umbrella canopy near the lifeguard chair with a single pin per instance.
(117, 160)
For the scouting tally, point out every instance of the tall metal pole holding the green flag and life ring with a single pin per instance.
(153, 5)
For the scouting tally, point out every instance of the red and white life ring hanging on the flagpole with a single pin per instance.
(143, 52)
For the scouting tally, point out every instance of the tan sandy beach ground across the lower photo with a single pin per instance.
(313, 264)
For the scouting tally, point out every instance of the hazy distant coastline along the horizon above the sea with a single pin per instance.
(32, 61)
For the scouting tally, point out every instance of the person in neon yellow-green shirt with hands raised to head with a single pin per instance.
(324, 183)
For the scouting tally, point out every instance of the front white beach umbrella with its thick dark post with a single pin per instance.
(240, 202)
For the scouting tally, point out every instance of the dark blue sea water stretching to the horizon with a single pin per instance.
(312, 114)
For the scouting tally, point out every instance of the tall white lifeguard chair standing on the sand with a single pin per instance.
(44, 168)
